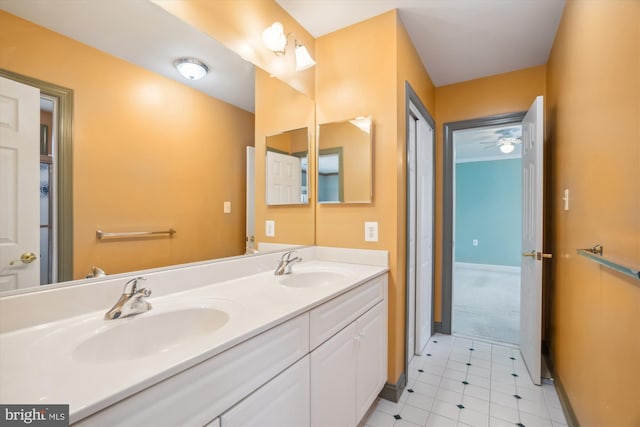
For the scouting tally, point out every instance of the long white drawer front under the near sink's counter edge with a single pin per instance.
(201, 393)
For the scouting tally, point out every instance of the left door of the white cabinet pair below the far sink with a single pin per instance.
(333, 381)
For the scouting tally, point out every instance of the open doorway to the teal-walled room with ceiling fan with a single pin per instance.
(482, 228)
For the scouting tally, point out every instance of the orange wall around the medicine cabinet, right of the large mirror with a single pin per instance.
(355, 77)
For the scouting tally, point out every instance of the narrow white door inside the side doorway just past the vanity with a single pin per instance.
(424, 233)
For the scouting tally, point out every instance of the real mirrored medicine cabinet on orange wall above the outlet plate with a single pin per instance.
(345, 163)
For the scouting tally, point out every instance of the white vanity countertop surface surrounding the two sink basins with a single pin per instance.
(38, 364)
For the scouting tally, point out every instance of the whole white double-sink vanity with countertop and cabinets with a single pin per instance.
(224, 343)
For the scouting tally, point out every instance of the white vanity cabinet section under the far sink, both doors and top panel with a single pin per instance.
(349, 369)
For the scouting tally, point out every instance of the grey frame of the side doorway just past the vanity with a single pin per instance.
(412, 98)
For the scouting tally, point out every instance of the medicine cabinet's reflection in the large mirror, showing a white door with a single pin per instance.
(287, 161)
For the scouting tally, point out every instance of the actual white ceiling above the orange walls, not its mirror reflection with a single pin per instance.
(457, 40)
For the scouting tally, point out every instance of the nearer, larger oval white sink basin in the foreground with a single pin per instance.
(148, 333)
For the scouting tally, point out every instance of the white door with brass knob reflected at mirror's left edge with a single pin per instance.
(19, 185)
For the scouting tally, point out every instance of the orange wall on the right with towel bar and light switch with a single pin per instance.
(593, 126)
